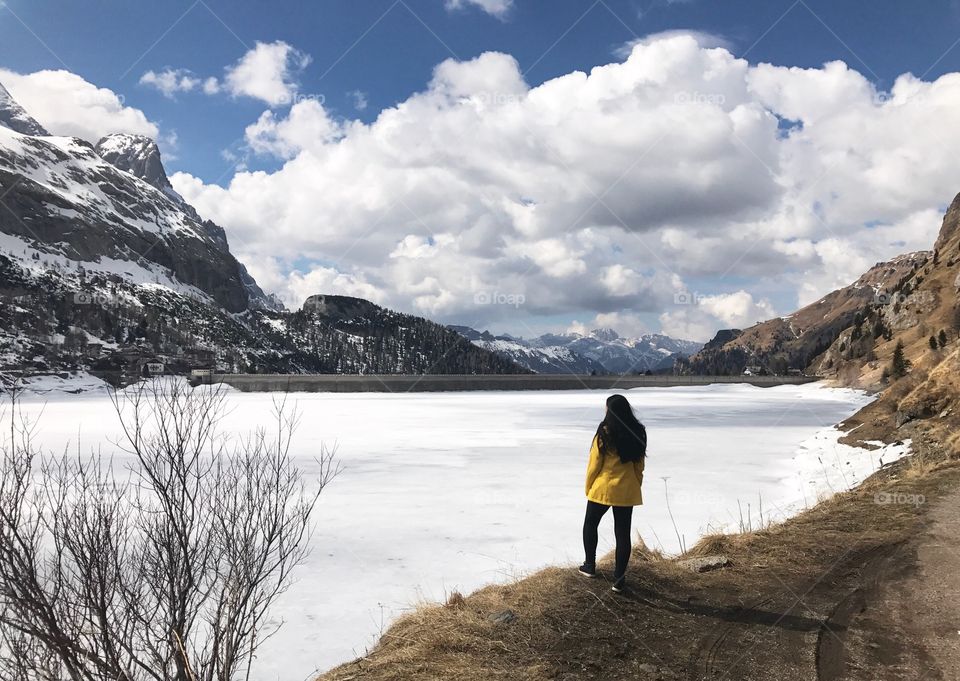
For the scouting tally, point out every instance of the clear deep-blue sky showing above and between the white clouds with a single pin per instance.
(387, 49)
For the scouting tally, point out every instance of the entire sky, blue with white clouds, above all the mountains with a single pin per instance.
(801, 219)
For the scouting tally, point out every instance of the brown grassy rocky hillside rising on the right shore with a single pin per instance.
(850, 334)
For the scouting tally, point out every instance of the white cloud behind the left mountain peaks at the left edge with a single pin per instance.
(66, 104)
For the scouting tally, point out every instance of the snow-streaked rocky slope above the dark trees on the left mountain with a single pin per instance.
(62, 198)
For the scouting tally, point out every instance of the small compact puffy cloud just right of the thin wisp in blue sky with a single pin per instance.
(267, 72)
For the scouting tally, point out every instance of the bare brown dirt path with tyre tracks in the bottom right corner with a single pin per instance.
(888, 613)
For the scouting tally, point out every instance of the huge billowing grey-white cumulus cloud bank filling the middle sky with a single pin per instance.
(606, 191)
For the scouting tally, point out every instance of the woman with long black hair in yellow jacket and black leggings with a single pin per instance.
(614, 478)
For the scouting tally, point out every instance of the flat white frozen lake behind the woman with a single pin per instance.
(450, 491)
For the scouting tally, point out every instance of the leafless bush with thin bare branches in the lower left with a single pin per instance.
(161, 563)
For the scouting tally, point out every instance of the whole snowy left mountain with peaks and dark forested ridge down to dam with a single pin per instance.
(104, 268)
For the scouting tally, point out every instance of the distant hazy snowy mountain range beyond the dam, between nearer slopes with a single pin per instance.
(602, 351)
